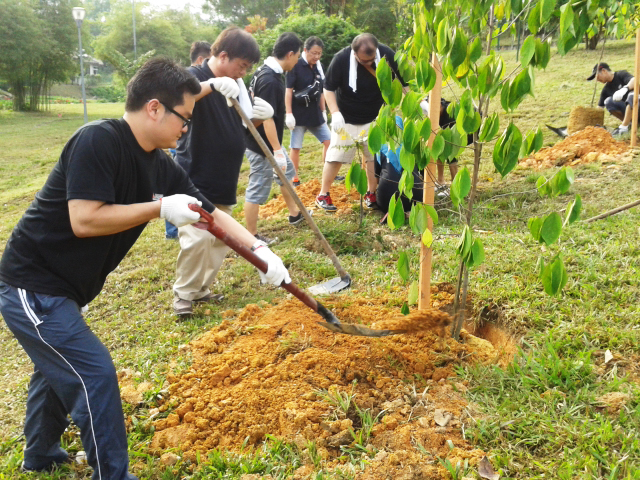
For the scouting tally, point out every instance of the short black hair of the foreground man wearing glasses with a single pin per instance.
(162, 79)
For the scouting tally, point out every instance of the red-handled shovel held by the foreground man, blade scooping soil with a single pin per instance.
(332, 322)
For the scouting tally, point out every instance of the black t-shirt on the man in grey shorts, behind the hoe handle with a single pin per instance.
(269, 86)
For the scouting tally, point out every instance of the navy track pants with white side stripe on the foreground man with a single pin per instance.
(74, 375)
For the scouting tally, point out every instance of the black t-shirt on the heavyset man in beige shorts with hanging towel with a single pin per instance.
(363, 105)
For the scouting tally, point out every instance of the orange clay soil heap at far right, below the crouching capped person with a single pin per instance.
(589, 145)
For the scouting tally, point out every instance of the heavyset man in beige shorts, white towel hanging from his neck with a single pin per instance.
(354, 100)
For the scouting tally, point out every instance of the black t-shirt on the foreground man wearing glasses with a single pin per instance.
(103, 162)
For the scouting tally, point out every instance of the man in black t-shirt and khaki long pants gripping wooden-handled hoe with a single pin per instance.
(211, 152)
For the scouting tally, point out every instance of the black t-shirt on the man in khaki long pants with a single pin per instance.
(212, 151)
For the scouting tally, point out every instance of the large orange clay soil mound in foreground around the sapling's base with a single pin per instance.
(270, 370)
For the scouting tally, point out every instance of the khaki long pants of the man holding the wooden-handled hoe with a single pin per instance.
(201, 256)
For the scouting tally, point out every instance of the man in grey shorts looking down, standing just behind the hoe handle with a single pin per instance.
(268, 84)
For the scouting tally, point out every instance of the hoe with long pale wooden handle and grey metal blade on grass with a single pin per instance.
(331, 286)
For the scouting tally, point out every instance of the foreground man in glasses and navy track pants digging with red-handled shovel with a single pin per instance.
(111, 179)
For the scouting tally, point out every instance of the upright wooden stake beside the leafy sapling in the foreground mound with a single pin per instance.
(424, 299)
